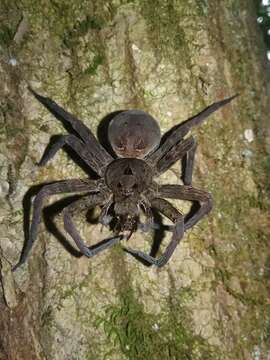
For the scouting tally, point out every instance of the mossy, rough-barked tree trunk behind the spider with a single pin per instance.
(171, 59)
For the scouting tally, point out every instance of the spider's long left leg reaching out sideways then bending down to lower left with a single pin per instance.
(66, 186)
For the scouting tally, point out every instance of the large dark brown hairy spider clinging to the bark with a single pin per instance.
(126, 185)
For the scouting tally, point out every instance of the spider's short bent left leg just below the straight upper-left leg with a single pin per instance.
(77, 145)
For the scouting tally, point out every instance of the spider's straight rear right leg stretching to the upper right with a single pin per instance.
(179, 131)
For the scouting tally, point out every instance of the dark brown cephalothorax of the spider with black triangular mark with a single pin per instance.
(128, 178)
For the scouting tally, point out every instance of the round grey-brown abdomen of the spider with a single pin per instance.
(133, 134)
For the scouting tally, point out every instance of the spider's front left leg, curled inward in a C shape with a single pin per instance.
(87, 202)
